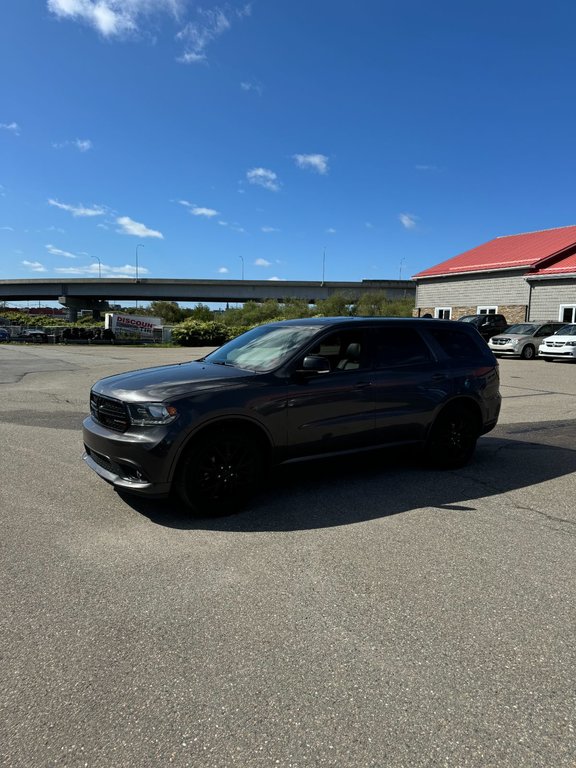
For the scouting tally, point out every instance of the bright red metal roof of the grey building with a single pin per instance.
(510, 252)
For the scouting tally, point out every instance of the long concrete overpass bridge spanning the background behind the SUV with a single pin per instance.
(95, 293)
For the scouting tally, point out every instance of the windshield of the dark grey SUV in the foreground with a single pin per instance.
(262, 349)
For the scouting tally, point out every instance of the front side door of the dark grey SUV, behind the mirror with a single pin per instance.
(332, 411)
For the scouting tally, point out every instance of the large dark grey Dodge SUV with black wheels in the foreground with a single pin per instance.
(208, 431)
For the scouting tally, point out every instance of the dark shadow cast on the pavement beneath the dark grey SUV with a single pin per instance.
(354, 489)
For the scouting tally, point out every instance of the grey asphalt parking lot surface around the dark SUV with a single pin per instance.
(361, 613)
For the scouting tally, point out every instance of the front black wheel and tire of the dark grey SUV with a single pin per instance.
(219, 472)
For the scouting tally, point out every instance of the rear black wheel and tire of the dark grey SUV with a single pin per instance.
(452, 438)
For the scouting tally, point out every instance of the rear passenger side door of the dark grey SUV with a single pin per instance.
(408, 383)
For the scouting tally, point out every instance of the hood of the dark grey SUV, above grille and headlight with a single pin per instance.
(169, 382)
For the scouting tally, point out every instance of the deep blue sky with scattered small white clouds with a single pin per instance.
(213, 140)
